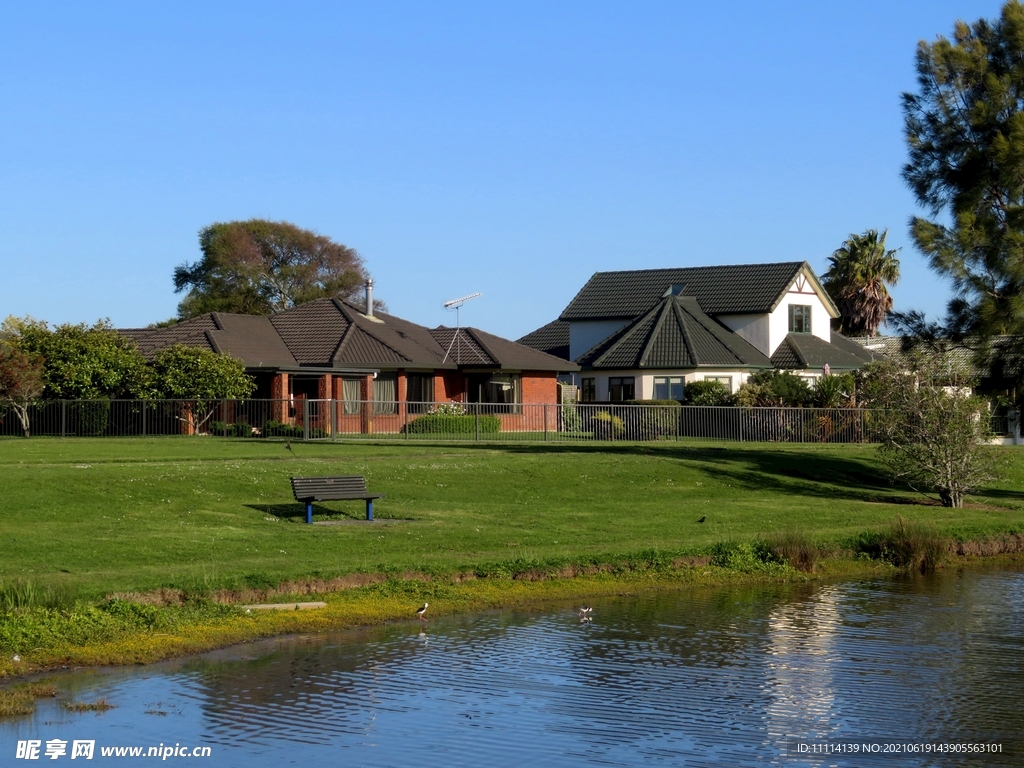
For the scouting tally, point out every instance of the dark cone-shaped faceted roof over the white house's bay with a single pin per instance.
(674, 334)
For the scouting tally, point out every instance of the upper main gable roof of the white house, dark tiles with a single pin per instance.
(740, 289)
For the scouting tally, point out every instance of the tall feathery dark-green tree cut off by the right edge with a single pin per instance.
(965, 129)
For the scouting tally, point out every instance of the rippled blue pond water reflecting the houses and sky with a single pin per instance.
(722, 677)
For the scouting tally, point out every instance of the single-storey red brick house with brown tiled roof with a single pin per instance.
(379, 370)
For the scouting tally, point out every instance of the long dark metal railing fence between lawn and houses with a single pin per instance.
(338, 420)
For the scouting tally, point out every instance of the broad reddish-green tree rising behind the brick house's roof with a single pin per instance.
(260, 268)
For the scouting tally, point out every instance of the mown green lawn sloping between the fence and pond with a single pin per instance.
(136, 515)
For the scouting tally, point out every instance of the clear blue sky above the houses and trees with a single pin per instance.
(513, 149)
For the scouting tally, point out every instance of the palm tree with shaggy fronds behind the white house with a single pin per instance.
(859, 274)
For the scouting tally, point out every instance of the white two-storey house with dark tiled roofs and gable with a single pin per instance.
(645, 334)
